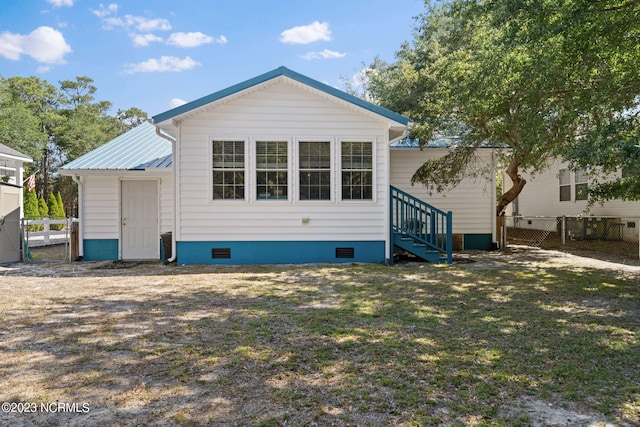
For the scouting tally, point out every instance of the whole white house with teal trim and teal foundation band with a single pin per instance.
(277, 169)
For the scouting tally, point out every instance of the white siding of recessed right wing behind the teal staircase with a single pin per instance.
(471, 202)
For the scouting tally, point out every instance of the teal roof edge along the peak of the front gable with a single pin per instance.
(281, 71)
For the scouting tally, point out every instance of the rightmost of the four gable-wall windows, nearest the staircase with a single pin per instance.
(357, 170)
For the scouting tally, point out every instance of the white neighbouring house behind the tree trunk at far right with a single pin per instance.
(560, 191)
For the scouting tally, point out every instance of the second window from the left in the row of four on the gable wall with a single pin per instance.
(272, 176)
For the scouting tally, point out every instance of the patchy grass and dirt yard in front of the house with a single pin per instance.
(533, 337)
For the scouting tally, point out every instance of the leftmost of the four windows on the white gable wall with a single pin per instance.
(228, 170)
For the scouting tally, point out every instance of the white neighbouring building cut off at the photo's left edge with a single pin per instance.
(11, 176)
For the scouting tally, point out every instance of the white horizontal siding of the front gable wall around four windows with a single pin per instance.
(284, 111)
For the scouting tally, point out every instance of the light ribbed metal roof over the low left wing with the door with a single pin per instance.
(138, 149)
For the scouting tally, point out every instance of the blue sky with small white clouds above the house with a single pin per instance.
(156, 54)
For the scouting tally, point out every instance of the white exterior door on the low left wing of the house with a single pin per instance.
(139, 222)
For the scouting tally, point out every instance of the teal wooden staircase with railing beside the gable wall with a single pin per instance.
(421, 229)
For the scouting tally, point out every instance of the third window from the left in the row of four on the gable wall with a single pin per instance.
(314, 170)
